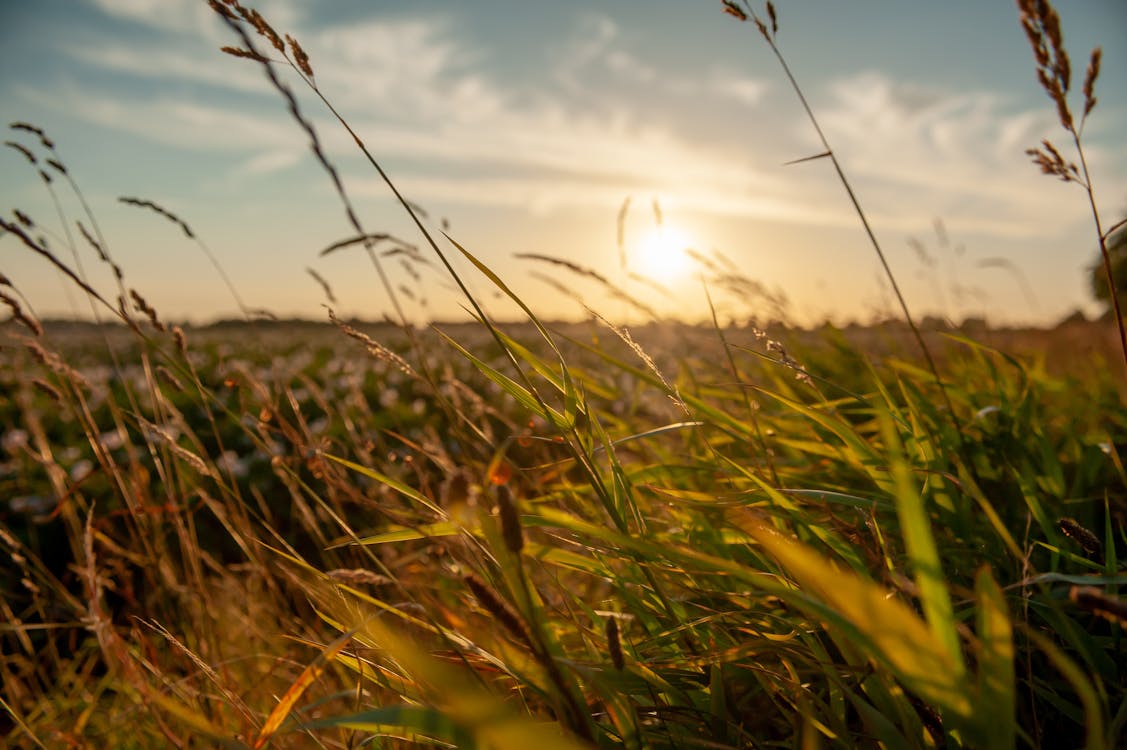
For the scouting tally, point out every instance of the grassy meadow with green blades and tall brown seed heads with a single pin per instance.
(528, 534)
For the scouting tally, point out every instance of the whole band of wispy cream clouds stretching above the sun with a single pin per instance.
(419, 90)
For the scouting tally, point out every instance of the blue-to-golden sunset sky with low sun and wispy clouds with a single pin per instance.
(525, 128)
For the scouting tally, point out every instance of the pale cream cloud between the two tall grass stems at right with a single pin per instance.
(926, 153)
